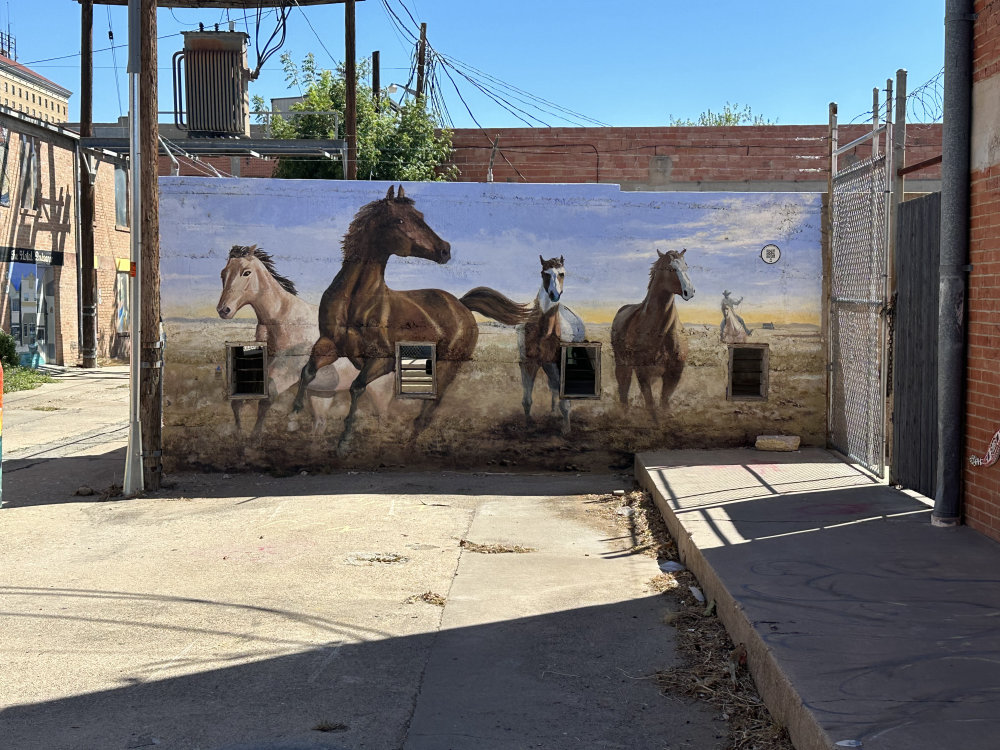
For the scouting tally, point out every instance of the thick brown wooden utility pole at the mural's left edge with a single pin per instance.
(151, 368)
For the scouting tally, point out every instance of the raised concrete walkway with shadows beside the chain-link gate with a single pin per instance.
(865, 626)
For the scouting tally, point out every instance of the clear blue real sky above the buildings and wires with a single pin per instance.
(633, 63)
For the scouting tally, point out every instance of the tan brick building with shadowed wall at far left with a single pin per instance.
(39, 241)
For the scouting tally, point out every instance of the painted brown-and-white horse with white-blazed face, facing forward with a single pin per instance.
(540, 338)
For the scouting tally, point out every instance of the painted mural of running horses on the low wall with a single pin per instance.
(614, 277)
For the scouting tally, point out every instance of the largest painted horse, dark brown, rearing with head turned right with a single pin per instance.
(362, 319)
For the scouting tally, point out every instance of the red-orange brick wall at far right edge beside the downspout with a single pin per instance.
(982, 485)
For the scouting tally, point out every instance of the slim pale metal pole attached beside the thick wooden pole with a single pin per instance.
(133, 459)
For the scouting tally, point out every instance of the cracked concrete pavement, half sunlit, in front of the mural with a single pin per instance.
(248, 611)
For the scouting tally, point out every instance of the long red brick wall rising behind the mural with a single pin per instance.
(671, 158)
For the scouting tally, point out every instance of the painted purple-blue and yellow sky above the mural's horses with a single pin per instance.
(497, 231)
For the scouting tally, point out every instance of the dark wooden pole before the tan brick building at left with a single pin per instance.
(88, 277)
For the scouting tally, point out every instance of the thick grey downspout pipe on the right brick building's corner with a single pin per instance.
(956, 128)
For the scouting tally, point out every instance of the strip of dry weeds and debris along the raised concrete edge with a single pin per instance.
(713, 670)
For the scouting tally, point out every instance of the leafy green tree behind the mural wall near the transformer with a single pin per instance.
(393, 144)
